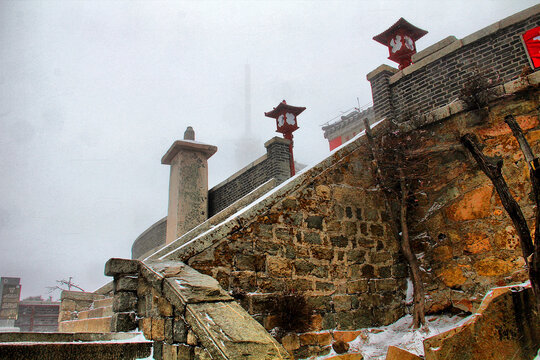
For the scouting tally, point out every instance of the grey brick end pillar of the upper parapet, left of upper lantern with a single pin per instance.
(381, 92)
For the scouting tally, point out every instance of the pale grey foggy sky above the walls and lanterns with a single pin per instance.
(93, 93)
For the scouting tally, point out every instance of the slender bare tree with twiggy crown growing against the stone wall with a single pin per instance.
(399, 173)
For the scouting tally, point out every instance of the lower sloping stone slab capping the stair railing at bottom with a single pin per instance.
(226, 328)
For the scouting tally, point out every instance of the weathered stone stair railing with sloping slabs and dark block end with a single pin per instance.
(186, 314)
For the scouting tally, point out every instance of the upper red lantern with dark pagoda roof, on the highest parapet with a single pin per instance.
(400, 39)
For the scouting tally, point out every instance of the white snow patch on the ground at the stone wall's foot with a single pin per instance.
(373, 342)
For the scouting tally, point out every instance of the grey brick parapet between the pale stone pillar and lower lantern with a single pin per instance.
(274, 165)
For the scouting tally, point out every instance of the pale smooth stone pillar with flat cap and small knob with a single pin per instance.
(188, 184)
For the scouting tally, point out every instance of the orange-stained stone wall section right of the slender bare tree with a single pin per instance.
(466, 238)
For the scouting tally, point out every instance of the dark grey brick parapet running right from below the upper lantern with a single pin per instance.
(439, 82)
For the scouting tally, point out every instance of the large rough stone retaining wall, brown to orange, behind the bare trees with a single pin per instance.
(324, 232)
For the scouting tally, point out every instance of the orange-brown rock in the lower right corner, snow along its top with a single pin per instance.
(504, 327)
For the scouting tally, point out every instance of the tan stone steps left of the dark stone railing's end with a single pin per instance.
(85, 312)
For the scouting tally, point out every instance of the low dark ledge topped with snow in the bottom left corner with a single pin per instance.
(70, 346)
